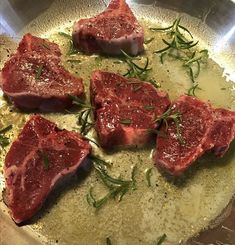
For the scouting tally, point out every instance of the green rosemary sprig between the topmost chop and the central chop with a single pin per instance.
(135, 70)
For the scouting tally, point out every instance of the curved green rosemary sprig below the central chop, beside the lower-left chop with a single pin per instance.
(117, 186)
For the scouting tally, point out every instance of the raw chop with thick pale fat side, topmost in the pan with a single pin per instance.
(113, 30)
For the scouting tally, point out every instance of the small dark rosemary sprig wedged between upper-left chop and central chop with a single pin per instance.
(84, 115)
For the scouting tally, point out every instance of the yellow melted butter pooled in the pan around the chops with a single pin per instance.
(178, 210)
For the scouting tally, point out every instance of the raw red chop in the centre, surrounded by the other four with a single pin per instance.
(125, 109)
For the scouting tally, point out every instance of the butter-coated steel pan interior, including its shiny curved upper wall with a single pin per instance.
(180, 210)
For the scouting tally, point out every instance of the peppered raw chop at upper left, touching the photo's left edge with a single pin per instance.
(34, 79)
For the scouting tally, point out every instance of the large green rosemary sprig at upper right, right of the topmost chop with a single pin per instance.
(180, 47)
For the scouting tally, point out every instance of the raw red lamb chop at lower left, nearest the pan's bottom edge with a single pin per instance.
(40, 157)
